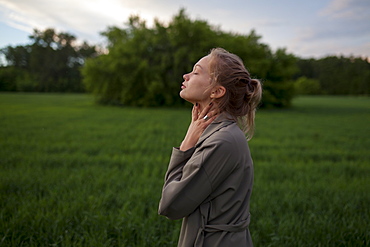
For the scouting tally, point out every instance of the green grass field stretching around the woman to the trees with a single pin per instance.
(77, 174)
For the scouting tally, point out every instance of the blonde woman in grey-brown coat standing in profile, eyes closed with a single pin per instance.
(210, 176)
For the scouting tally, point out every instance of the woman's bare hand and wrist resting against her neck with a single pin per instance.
(198, 124)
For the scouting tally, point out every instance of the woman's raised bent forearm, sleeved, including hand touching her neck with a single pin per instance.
(181, 191)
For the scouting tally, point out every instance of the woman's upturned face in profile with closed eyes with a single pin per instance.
(196, 85)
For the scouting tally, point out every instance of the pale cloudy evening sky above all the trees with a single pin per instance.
(314, 28)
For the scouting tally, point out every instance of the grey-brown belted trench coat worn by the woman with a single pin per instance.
(210, 186)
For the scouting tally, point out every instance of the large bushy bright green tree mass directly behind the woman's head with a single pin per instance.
(144, 66)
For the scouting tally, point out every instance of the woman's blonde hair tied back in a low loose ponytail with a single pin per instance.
(243, 94)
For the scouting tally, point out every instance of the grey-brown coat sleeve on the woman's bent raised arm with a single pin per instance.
(190, 179)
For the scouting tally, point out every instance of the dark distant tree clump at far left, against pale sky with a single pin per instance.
(50, 64)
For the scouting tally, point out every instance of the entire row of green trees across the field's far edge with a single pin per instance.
(143, 66)
